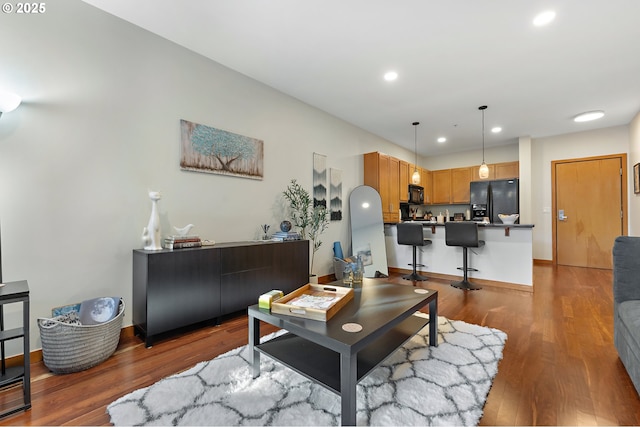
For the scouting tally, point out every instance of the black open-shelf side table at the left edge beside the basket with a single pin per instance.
(15, 292)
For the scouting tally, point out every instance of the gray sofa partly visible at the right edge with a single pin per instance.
(626, 304)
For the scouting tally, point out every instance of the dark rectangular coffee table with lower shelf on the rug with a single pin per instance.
(336, 359)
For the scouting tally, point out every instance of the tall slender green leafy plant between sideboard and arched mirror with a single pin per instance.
(311, 220)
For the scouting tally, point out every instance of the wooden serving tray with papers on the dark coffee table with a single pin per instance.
(311, 301)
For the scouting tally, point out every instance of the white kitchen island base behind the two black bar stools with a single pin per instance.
(506, 258)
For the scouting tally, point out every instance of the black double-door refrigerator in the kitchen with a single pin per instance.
(490, 198)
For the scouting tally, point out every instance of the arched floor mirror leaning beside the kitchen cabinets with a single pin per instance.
(367, 230)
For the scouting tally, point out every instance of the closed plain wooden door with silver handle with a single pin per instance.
(589, 209)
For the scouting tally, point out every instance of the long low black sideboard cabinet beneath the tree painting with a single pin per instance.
(173, 289)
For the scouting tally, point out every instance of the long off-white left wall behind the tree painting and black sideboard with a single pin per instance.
(99, 127)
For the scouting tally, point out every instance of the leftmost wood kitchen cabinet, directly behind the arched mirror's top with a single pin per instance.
(382, 172)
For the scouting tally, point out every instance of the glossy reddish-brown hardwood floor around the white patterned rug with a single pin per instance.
(559, 365)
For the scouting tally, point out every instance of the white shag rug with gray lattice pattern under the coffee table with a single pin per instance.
(416, 385)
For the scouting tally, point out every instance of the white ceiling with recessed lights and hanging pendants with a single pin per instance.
(451, 56)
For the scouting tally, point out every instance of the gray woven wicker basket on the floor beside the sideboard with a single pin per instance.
(71, 348)
